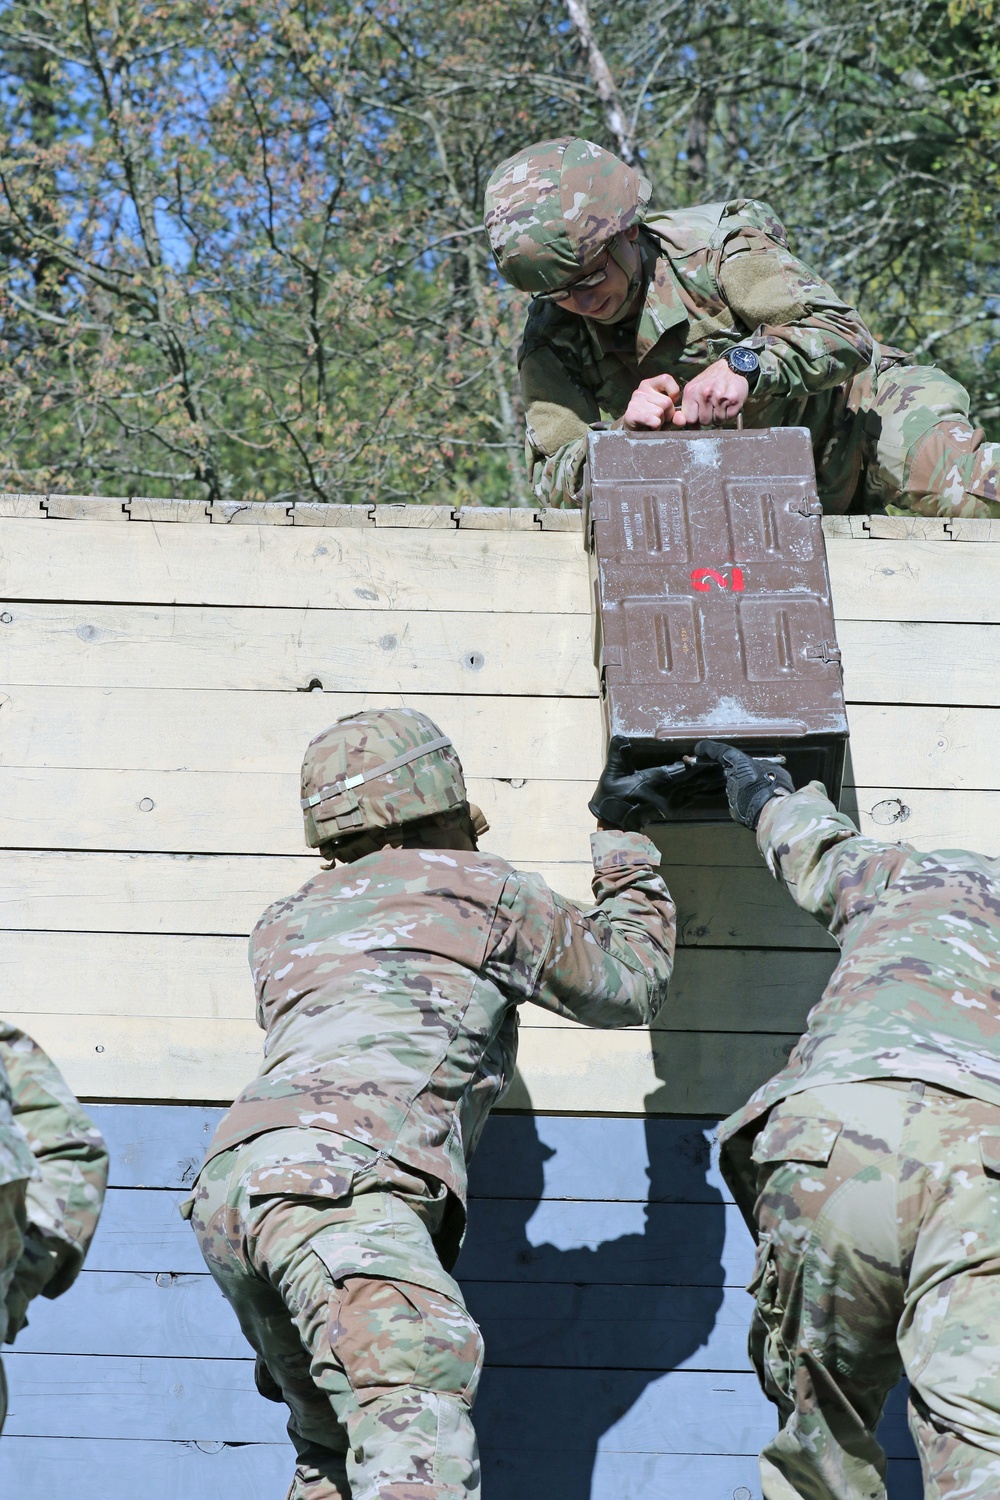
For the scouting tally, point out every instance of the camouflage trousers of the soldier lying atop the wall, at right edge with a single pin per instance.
(921, 454)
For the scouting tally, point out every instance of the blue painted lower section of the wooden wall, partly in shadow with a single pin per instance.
(605, 1264)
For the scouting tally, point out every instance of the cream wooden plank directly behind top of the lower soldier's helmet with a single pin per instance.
(512, 739)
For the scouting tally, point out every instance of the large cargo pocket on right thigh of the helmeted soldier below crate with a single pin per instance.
(400, 1322)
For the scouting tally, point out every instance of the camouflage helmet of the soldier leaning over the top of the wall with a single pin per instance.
(552, 208)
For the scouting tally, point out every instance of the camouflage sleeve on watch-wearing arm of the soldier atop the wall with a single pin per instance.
(807, 340)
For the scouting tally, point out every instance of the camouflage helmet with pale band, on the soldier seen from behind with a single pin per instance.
(379, 769)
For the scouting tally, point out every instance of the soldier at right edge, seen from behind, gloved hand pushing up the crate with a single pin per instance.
(870, 1166)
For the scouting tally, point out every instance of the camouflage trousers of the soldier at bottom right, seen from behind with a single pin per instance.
(879, 1252)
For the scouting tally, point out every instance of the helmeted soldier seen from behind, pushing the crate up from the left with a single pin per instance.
(332, 1204)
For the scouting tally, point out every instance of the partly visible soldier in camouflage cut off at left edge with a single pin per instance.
(53, 1177)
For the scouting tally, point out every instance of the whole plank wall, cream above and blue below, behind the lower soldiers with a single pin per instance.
(161, 670)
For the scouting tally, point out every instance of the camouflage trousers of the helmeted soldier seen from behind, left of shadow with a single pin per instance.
(355, 1322)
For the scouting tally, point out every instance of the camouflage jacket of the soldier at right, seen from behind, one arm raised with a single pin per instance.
(917, 994)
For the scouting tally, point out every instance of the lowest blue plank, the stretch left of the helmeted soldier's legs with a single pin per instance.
(97, 1469)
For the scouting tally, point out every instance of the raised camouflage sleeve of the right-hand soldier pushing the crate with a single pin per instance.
(831, 871)
